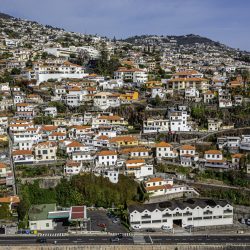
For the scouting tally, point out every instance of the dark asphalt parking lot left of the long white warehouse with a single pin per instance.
(100, 217)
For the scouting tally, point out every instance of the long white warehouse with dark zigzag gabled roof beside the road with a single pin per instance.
(194, 212)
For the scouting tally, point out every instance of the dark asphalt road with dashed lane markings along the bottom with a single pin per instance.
(128, 240)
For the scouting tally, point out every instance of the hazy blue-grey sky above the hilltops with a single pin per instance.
(227, 21)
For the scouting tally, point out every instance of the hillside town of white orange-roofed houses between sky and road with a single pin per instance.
(148, 134)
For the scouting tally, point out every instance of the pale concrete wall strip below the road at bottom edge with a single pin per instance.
(134, 247)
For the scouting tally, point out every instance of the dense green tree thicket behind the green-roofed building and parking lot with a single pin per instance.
(85, 189)
